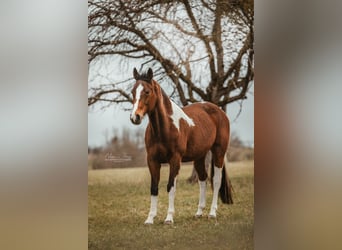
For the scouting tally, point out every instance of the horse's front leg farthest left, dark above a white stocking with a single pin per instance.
(154, 168)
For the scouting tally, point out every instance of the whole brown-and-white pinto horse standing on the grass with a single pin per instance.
(174, 135)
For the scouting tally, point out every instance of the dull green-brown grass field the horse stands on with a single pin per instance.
(119, 200)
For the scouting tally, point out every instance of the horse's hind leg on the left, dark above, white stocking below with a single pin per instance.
(202, 176)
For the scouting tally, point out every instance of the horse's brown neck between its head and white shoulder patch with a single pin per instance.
(160, 117)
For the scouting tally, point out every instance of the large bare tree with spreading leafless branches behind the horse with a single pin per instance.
(203, 49)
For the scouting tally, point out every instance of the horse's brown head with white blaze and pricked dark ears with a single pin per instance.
(144, 95)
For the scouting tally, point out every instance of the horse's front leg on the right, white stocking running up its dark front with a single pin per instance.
(171, 187)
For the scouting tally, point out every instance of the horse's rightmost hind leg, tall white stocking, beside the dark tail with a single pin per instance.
(218, 159)
